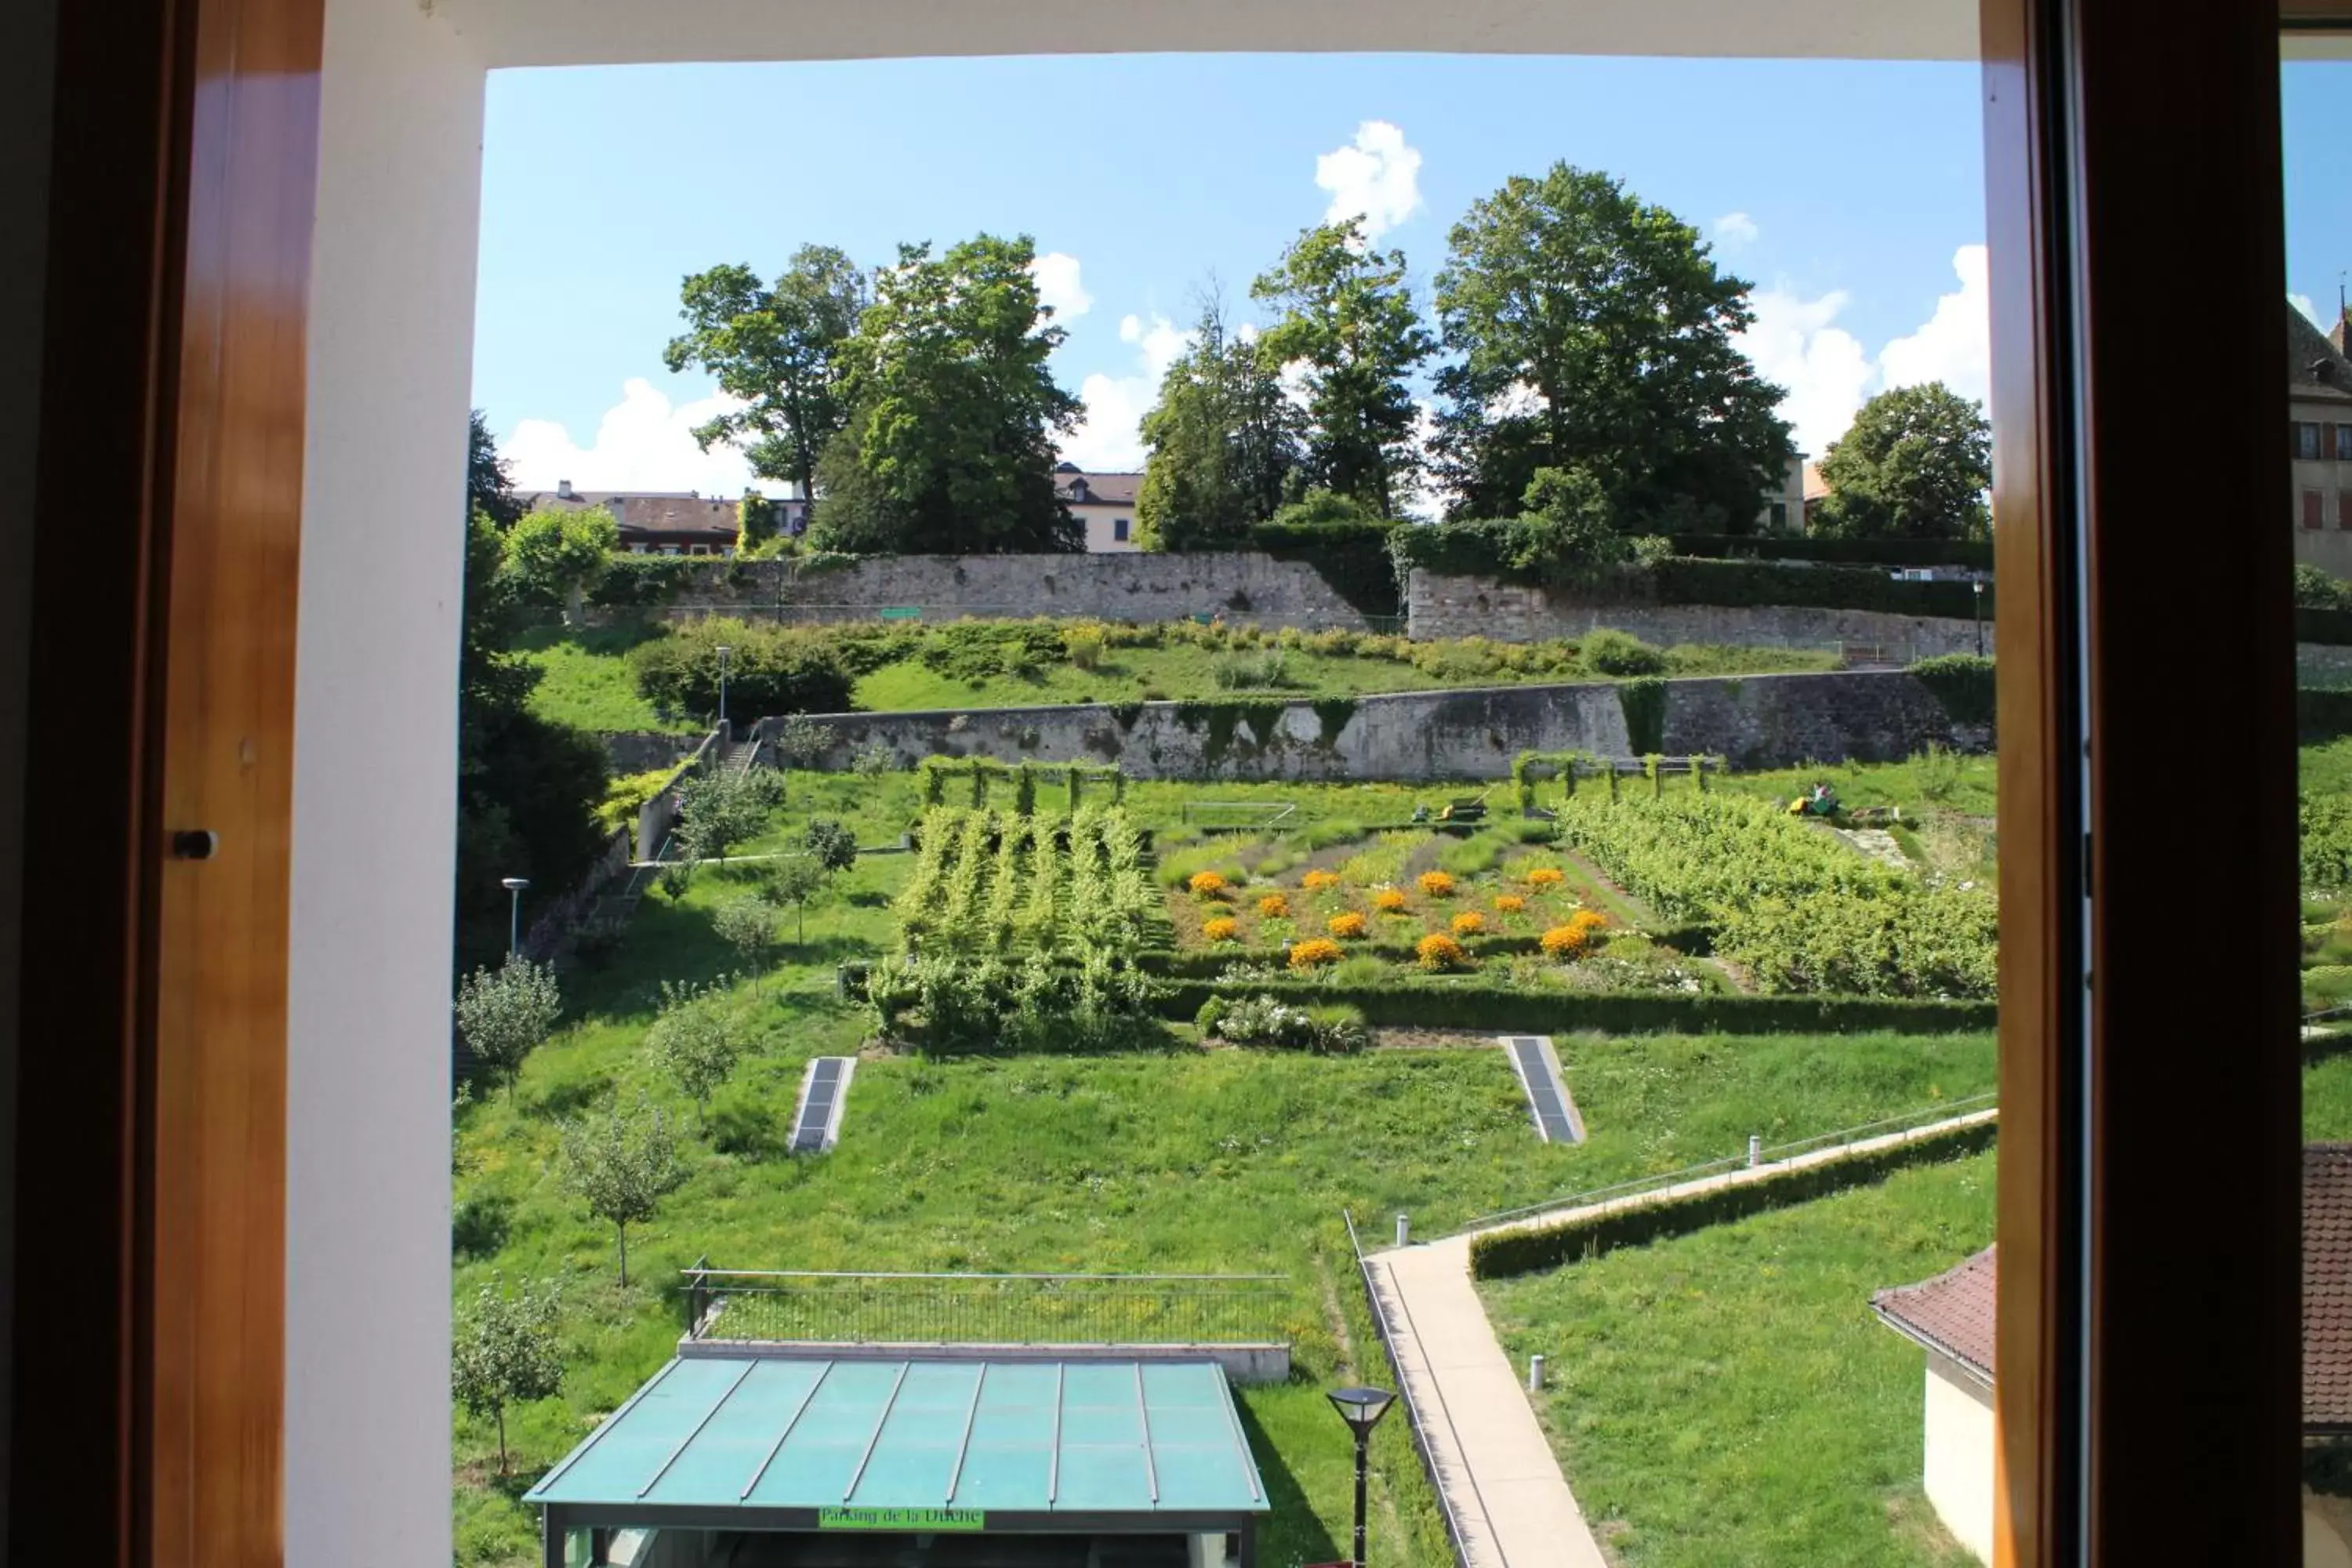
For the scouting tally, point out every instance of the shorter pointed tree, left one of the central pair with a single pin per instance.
(1222, 445)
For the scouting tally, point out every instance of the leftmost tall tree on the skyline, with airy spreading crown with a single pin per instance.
(773, 347)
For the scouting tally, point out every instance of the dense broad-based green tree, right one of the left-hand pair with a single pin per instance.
(954, 413)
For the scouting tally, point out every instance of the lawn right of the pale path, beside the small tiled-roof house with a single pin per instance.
(1728, 1398)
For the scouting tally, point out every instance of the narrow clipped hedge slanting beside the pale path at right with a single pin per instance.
(1546, 1247)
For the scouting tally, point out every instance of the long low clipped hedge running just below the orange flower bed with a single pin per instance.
(1521, 1012)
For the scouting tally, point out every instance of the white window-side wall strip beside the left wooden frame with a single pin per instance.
(375, 817)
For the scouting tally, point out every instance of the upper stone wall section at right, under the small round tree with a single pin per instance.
(1481, 608)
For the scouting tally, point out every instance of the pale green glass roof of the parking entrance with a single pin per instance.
(1022, 1438)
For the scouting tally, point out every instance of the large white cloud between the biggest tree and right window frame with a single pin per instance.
(1826, 373)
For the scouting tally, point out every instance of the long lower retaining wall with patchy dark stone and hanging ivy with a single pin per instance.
(1760, 721)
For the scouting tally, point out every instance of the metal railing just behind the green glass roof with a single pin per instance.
(794, 1306)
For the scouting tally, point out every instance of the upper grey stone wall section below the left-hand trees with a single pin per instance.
(1135, 587)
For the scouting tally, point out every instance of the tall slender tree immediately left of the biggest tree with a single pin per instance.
(1351, 328)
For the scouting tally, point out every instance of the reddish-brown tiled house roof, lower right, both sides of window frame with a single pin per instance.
(1953, 1313)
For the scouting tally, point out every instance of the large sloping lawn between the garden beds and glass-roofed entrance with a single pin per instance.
(1154, 1162)
